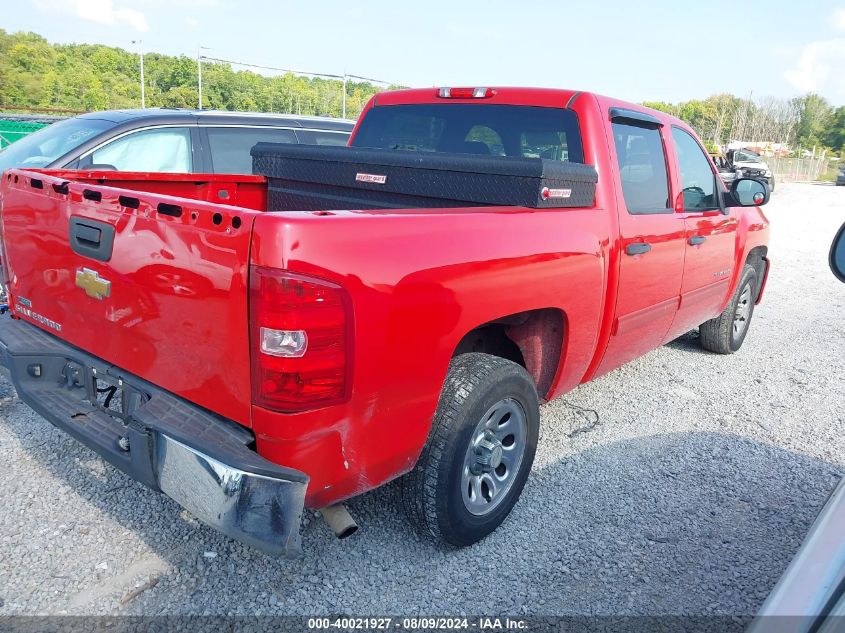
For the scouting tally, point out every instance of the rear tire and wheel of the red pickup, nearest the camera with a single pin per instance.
(479, 451)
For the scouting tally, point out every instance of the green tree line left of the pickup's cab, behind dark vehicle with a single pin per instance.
(37, 74)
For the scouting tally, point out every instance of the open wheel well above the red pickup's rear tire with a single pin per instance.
(533, 339)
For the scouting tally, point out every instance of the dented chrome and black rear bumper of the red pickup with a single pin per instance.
(200, 460)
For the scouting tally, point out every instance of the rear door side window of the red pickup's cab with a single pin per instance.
(642, 168)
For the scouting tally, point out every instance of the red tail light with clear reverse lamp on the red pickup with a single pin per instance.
(300, 339)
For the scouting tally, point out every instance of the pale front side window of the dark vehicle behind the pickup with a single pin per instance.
(158, 150)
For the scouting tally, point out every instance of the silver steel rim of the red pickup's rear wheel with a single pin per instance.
(493, 457)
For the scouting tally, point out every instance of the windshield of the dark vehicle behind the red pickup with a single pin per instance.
(47, 144)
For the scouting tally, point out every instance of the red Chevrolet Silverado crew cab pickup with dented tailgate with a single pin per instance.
(251, 361)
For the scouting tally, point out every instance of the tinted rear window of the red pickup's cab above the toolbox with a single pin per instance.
(486, 130)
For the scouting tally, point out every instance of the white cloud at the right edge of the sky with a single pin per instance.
(819, 68)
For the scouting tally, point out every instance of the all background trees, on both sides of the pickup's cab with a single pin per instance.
(35, 73)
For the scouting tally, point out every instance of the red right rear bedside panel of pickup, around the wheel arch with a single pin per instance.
(419, 282)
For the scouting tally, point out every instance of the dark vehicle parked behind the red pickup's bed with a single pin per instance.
(167, 140)
